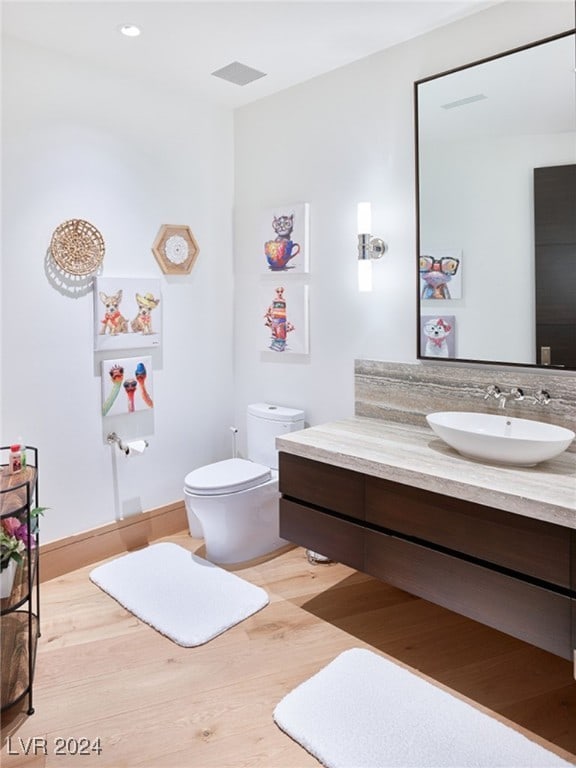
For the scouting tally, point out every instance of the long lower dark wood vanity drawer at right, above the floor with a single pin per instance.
(530, 613)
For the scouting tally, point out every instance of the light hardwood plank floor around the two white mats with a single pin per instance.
(102, 674)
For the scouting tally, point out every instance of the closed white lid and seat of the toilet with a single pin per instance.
(227, 476)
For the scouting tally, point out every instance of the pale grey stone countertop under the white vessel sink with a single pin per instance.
(415, 456)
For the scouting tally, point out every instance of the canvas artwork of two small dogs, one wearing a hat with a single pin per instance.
(127, 313)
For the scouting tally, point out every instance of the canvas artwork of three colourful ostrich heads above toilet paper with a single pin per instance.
(126, 385)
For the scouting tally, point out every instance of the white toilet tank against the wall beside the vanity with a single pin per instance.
(266, 422)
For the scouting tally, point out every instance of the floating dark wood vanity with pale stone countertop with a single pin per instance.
(494, 543)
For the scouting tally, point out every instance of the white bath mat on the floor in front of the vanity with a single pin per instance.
(362, 711)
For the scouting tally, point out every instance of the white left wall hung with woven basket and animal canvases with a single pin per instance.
(79, 143)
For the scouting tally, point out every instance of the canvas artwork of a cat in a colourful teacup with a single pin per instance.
(284, 244)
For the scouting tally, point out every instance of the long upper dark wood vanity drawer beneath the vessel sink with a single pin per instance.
(532, 547)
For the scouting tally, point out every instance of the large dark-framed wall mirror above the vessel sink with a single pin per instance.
(496, 205)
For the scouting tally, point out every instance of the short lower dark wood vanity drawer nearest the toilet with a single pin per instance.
(337, 539)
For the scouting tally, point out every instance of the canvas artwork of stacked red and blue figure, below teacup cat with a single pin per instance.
(284, 319)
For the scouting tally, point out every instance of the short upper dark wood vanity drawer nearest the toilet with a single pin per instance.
(339, 490)
